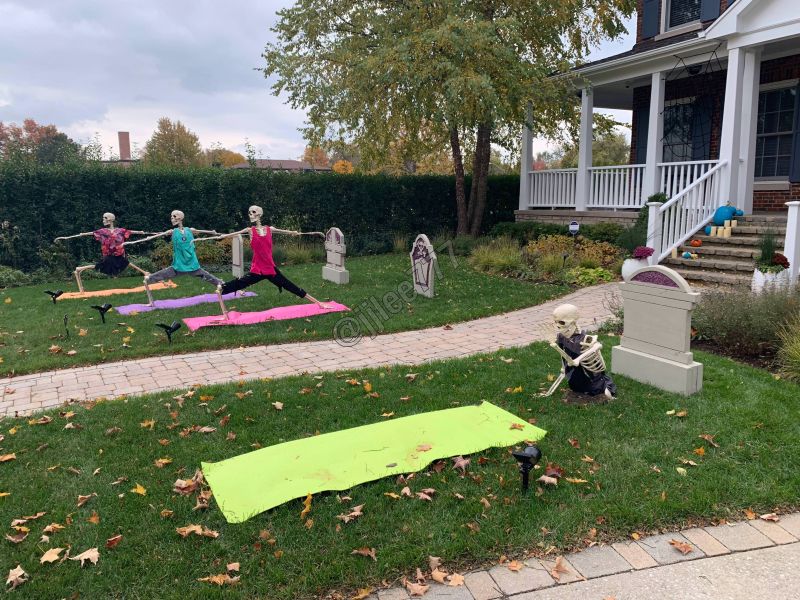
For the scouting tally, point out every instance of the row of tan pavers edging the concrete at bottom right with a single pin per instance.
(651, 552)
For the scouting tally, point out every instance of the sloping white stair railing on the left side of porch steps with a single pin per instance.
(684, 214)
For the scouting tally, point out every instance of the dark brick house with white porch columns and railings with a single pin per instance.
(714, 91)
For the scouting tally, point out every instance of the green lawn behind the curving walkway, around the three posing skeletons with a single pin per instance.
(30, 324)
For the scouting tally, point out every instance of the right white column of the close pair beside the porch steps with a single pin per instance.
(747, 149)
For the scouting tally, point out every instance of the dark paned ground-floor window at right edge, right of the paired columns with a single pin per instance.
(775, 132)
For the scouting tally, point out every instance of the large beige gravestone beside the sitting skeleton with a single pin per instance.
(654, 348)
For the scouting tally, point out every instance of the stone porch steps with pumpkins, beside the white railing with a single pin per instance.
(729, 261)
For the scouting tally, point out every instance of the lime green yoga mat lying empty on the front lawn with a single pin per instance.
(251, 483)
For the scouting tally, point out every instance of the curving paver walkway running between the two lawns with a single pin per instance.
(28, 393)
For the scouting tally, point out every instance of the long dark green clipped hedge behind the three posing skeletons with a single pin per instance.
(46, 202)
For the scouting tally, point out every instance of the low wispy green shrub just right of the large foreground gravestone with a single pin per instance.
(746, 324)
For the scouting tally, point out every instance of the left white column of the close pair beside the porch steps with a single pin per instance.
(730, 143)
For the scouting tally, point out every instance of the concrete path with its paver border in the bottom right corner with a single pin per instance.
(648, 568)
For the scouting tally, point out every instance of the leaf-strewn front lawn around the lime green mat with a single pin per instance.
(637, 488)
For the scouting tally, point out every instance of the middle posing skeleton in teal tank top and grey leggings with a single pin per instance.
(184, 257)
